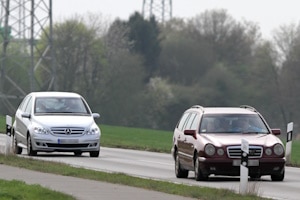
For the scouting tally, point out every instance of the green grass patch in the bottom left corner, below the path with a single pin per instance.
(18, 190)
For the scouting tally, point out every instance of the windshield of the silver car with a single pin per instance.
(48, 105)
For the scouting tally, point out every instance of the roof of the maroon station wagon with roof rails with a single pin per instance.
(224, 110)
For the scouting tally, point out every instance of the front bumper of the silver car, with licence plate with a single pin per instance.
(66, 144)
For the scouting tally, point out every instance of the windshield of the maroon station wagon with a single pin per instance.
(232, 123)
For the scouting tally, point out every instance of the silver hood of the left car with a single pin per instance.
(64, 120)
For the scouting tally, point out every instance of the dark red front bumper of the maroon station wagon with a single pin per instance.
(231, 167)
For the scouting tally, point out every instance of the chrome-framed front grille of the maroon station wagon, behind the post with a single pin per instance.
(235, 152)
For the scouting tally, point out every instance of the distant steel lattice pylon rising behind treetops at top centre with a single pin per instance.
(160, 9)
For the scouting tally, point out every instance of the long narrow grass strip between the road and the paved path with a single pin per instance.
(119, 178)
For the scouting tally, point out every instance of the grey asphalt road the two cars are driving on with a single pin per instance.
(161, 166)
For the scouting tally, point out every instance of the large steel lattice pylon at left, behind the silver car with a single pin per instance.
(22, 23)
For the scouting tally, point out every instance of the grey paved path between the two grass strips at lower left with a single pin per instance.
(81, 189)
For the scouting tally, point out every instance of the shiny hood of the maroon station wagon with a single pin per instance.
(235, 139)
